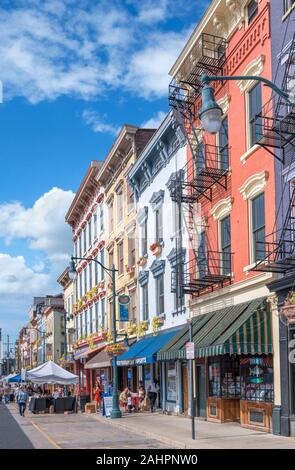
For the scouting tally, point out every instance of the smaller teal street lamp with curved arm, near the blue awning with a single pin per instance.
(115, 413)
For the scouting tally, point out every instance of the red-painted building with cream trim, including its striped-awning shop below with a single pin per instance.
(228, 184)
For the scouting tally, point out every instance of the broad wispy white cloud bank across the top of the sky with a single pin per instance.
(86, 49)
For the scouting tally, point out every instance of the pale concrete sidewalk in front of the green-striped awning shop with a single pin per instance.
(175, 431)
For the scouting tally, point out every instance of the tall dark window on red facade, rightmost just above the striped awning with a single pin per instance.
(258, 227)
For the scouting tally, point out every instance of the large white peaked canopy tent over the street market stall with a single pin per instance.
(51, 373)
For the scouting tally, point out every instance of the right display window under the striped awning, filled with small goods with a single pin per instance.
(257, 378)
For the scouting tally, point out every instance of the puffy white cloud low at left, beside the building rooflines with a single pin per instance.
(43, 224)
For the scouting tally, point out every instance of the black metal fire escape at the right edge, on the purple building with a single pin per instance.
(276, 126)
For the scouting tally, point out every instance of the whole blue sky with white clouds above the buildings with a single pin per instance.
(72, 73)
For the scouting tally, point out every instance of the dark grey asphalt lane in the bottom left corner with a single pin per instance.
(11, 434)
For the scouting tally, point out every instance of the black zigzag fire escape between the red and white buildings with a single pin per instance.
(208, 168)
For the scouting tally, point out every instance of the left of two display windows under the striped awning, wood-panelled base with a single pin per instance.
(224, 377)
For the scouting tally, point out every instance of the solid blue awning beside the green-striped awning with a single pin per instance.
(145, 350)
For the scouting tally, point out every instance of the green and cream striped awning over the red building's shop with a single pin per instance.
(243, 329)
